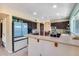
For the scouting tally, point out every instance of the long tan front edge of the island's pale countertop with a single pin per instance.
(46, 39)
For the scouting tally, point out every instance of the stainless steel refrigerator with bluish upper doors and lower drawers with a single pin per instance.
(20, 32)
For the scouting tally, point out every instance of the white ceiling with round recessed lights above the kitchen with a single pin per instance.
(44, 10)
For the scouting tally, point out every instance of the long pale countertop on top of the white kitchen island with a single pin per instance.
(63, 39)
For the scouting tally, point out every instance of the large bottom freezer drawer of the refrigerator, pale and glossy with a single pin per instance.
(20, 44)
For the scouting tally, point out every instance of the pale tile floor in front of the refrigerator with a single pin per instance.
(22, 52)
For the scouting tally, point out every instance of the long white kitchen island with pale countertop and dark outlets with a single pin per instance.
(65, 45)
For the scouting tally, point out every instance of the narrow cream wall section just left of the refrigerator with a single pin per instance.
(7, 33)
